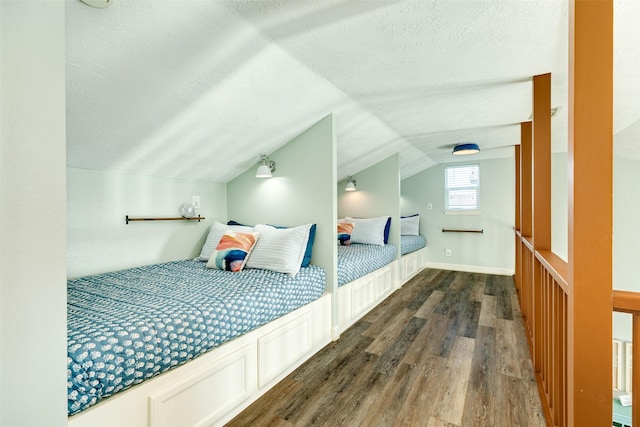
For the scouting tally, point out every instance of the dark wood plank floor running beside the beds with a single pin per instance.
(448, 349)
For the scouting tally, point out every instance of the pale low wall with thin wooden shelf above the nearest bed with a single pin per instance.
(99, 239)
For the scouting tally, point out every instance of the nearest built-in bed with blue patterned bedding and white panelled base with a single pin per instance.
(132, 332)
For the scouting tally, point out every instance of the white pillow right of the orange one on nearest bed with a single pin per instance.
(279, 249)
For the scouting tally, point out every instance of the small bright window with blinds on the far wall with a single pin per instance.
(462, 188)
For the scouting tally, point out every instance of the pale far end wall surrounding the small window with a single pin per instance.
(490, 252)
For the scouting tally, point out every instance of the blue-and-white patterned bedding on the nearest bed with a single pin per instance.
(127, 326)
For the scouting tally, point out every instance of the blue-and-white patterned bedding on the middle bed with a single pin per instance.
(357, 260)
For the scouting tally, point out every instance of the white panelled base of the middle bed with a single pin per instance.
(357, 298)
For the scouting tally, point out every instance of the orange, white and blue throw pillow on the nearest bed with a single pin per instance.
(233, 250)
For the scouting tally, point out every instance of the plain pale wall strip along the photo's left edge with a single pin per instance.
(32, 214)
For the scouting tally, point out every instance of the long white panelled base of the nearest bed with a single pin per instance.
(213, 388)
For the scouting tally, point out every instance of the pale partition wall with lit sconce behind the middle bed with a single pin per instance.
(377, 194)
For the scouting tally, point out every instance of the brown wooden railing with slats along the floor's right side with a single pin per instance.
(543, 294)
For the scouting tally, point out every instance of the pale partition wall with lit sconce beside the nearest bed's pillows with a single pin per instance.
(301, 191)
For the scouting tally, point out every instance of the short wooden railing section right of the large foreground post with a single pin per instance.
(629, 302)
